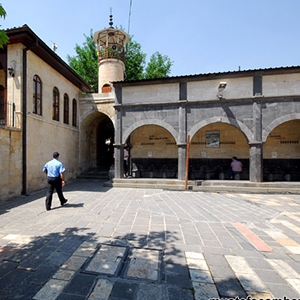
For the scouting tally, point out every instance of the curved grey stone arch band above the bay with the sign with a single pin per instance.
(239, 125)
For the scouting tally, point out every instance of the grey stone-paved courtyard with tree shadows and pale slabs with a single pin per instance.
(124, 243)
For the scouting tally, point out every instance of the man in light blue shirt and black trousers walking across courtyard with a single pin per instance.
(56, 180)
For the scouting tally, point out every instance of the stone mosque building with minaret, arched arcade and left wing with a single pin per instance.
(175, 127)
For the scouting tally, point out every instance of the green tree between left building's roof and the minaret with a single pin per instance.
(85, 63)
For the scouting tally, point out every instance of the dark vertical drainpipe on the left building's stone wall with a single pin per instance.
(24, 124)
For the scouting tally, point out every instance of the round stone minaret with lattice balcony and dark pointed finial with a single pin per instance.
(111, 44)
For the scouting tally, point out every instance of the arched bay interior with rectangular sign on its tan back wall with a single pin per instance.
(212, 148)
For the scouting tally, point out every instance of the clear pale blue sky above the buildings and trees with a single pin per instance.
(199, 36)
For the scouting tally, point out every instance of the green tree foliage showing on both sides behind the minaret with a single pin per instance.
(85, 63)
